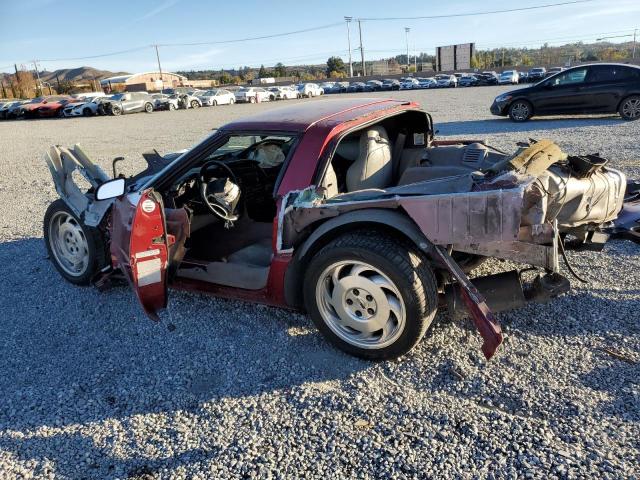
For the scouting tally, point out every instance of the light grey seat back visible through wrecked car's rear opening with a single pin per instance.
(373, 167)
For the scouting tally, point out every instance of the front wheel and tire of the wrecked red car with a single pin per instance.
(77, 251)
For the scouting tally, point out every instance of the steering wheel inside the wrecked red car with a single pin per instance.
(224, 198)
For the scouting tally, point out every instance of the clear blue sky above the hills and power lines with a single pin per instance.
(53, 29)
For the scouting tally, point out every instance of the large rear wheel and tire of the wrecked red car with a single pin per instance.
(370, 295)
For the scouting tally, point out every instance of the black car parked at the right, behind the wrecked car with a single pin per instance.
(596, 88)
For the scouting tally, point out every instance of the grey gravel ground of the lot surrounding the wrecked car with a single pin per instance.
(90, 388)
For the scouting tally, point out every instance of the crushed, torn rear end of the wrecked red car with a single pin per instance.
(527, 208)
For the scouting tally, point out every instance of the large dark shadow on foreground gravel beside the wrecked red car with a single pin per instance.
(74, 356)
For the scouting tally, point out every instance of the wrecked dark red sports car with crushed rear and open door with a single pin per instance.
(347, 209)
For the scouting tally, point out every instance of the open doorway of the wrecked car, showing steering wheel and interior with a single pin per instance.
(240, 175)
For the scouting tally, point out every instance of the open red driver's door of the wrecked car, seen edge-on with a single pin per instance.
(140, 246)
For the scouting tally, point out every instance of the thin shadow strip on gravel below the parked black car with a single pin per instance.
(504, 125)
